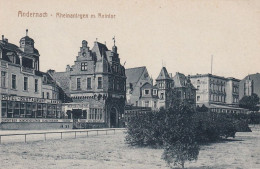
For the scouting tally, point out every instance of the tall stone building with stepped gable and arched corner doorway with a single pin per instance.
(96, 84)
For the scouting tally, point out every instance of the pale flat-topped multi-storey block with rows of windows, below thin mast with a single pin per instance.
(214, 91)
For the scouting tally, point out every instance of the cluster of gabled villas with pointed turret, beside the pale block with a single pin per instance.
(161, 95)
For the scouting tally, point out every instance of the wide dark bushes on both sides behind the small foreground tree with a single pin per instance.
(154, 128)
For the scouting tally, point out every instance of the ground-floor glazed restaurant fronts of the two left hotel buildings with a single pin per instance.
(35, 113)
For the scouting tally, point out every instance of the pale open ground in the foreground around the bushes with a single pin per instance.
(110, 152)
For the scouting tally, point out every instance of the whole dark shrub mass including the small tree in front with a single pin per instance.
(181, 130)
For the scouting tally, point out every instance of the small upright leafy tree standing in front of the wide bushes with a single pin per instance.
(180, 139)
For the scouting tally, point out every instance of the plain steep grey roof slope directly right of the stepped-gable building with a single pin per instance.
(133, 74)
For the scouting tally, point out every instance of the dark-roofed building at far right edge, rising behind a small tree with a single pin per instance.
(249, 85)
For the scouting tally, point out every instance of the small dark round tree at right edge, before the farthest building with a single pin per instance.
(250, 102)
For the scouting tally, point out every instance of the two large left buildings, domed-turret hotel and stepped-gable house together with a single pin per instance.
(90, 91)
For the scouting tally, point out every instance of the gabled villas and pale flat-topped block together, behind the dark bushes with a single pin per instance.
(218, 93)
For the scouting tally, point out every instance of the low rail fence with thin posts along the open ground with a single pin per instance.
(61, 133)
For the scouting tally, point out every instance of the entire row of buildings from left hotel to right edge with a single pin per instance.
(98, 91)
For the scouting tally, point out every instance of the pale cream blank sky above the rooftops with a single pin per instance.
(183, 35)
